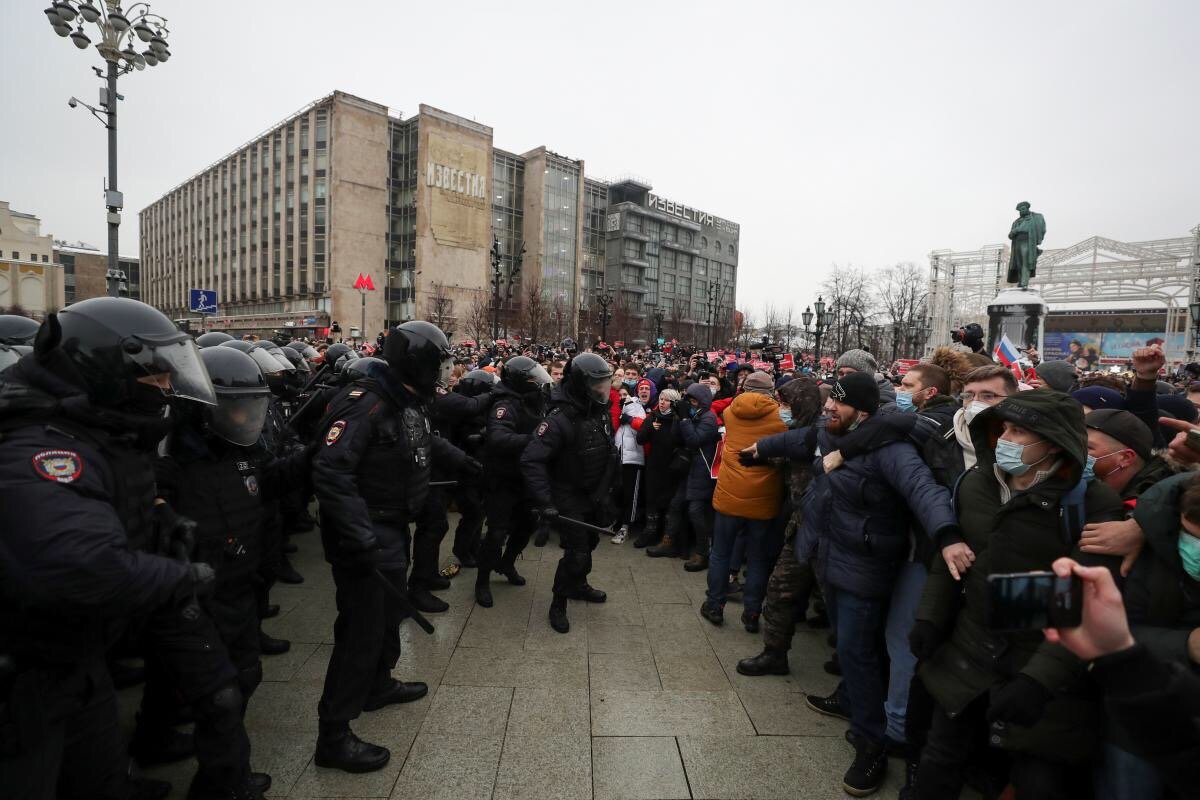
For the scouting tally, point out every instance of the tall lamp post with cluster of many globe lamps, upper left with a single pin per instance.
(117, 28)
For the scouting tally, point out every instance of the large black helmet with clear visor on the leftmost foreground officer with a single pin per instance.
(128, 354)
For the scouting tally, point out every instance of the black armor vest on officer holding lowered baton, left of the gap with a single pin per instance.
(394, 473)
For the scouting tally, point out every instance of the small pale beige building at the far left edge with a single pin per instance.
(29, 275)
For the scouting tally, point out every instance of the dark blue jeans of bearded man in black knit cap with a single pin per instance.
(860, 623)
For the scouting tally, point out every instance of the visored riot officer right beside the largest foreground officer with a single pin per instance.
(215, 472)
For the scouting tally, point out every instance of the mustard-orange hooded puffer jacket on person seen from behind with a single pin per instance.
(751, 492)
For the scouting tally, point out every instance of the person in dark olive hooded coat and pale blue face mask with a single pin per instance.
(1031, 453)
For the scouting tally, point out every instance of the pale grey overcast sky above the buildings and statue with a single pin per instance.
(859, 134)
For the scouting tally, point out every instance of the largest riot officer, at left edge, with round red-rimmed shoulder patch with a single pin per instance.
(80, 419)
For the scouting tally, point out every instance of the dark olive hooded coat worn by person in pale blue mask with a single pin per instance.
(1019, 534)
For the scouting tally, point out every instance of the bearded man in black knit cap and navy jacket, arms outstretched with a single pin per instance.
(857, 519)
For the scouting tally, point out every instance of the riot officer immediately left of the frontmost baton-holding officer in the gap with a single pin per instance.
(520, 406)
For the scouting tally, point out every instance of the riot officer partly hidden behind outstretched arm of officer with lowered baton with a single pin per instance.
(448, 413)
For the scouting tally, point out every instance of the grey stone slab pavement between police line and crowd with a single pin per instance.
(641, 700)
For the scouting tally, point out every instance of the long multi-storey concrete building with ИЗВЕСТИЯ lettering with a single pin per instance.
(283, 227)
